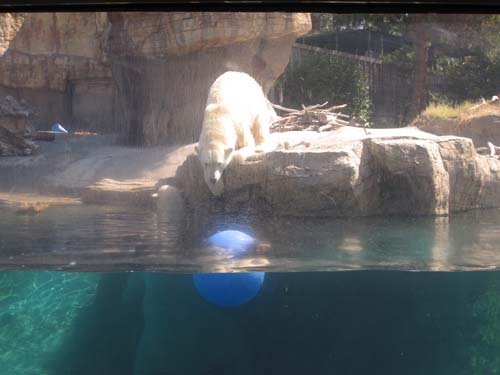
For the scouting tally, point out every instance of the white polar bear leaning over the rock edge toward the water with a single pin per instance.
(235, 125)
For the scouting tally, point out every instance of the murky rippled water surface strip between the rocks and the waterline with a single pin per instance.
(99, 238)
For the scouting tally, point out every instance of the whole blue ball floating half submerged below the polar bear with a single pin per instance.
(230, 289)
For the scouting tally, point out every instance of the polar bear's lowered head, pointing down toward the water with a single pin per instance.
(214, 159)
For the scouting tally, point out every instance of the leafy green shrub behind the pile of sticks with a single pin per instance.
(319, 78)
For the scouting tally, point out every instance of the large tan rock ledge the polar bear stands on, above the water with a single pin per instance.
(350, 173)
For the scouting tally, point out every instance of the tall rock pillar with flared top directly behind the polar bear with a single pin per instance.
(164, 64)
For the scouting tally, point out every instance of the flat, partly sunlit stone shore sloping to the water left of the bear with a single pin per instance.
(93, 168)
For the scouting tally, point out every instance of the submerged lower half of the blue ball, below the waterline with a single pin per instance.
(228, 289)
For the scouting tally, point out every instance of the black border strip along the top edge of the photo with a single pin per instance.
(341, 6)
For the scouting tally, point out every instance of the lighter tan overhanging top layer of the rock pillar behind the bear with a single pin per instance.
(159, 34)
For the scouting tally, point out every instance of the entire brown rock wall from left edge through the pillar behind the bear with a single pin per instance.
(143, 75)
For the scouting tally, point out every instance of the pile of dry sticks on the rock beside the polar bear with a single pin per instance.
(312, 118)
